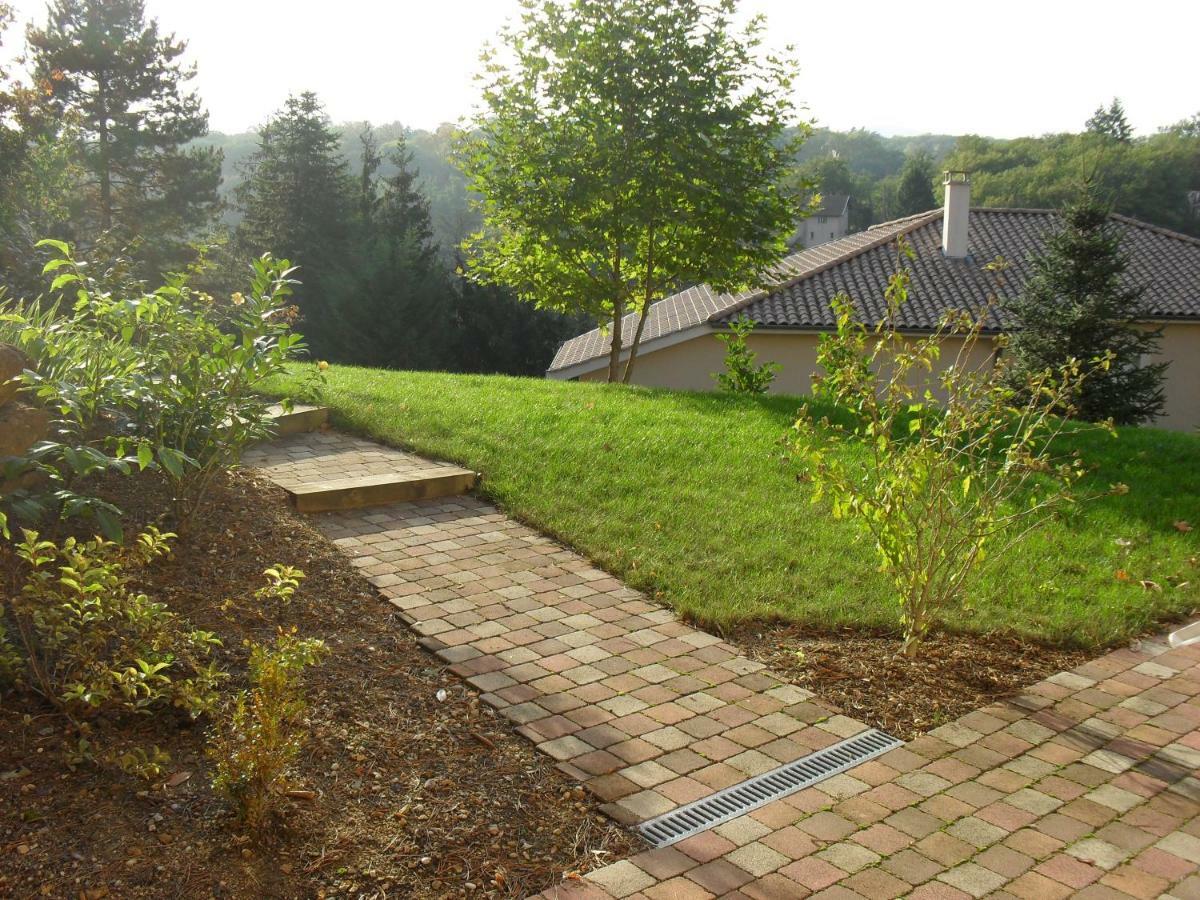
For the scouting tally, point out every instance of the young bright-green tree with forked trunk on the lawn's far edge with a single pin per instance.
(631, 148)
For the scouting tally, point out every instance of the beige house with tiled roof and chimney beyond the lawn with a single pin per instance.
(951, 249)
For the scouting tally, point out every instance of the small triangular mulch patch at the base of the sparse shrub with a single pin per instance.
(866, 676)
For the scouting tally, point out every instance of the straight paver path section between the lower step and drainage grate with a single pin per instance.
(645, 711)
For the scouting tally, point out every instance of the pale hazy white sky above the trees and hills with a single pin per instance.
(1004, 68)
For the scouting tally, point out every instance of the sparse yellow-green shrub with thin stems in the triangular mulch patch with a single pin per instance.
(944, 481)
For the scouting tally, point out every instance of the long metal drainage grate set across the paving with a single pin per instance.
(761, 790)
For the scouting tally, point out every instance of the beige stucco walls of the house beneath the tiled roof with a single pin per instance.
(689, 365)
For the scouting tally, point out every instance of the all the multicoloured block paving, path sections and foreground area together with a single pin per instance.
(1087, 785)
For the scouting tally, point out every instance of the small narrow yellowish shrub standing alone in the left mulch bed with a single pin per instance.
(262, 731)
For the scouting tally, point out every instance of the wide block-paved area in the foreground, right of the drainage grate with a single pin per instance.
(1087, 785)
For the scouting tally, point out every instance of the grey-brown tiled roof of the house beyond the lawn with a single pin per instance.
(800, 290)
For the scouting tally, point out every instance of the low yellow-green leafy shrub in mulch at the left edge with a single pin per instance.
(97, 649)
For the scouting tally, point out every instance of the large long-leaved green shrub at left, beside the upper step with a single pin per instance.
(163, 379)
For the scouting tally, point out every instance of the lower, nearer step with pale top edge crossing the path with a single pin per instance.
(376, 490)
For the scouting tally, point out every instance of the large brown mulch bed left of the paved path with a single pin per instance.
(411, 796)
